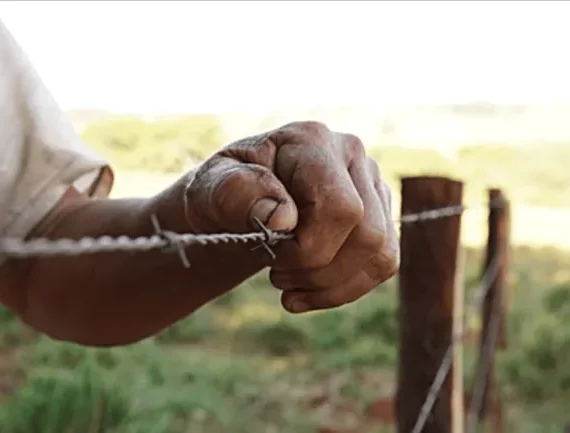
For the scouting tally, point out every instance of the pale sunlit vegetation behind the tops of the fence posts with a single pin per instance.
(533, 175)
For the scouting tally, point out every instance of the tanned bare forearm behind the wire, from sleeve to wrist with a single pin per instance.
(118, 298)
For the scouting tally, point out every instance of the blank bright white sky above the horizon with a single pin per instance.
(217, 56)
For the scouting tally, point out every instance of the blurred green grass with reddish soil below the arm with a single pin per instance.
(242, 364)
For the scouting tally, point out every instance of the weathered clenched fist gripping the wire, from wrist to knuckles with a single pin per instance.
(319, 184)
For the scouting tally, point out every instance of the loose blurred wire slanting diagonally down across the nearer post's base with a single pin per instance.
(443, 371)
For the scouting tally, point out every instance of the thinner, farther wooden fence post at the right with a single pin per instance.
(493, 304)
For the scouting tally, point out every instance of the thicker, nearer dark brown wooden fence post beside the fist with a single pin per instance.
(429, 252)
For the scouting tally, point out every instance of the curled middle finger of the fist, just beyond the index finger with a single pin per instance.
(365, 240)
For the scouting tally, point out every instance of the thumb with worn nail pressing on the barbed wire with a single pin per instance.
(226, 195)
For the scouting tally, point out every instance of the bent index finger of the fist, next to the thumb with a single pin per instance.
(328, 203)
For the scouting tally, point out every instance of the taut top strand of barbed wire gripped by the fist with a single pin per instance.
(170, 241)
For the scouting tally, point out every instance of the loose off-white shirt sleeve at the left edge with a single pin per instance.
(41, 155)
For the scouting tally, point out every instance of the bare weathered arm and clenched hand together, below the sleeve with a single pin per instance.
(301, 177)
